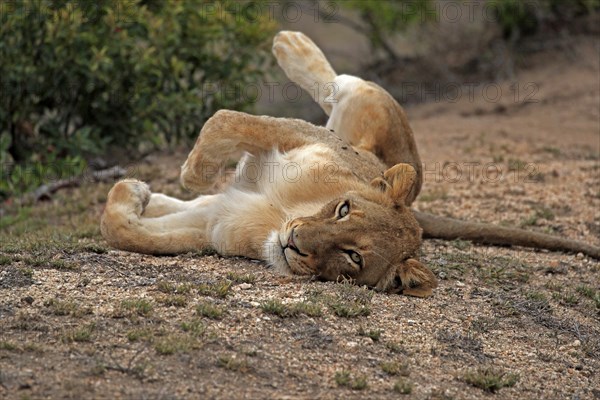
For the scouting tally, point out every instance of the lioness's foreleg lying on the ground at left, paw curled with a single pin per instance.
(125, 227)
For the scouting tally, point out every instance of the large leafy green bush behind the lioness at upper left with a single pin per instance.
(76, 77)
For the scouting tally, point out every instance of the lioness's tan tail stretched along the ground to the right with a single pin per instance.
(437, 227)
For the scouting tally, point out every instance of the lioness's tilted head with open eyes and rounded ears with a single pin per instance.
(367, 235)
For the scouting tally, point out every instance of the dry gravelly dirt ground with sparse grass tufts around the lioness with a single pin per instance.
(81, 320)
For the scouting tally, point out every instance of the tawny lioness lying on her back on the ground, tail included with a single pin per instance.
(331, 202)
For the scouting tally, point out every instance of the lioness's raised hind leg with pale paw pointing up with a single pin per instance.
(360, 112)
